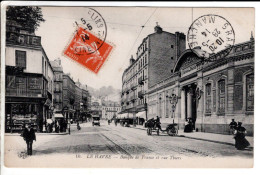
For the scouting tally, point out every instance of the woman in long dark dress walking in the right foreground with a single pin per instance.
(240, 137)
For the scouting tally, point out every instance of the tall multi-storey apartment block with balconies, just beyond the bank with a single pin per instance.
(154, 62)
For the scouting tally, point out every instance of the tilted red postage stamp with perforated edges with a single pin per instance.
(88, 50)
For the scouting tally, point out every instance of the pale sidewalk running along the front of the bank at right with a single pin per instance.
(209, 137)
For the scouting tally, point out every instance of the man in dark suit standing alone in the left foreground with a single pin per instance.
(29, 136)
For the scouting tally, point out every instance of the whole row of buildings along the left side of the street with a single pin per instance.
(37, 88)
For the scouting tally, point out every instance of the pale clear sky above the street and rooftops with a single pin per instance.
(125, 32)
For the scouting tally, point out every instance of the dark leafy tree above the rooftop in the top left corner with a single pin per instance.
(27, 16)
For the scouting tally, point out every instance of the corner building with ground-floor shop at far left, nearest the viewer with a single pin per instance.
(29, 79)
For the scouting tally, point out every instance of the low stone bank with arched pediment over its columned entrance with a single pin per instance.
(211, 94)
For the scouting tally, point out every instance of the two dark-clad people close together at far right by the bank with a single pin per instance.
(239, 133)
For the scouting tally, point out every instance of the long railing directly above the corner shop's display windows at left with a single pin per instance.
(26, 92)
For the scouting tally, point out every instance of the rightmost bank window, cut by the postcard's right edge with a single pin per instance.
(250, 92)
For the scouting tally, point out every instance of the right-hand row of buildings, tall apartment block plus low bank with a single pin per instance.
(167, 80)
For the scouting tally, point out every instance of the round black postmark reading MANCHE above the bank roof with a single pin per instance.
(211, 34)
